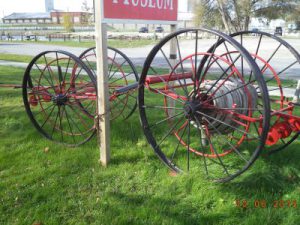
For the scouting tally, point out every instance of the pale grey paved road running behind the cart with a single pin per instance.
(137, 55)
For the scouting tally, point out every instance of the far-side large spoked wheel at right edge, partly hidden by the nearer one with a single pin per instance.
(279, 63)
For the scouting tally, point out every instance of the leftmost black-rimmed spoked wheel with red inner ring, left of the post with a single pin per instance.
(59, 94)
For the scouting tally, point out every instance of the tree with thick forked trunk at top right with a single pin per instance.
(236, 14)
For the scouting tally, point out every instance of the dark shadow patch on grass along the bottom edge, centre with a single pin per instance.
(149, 209)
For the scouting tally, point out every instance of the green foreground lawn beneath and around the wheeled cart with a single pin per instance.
(46, 183)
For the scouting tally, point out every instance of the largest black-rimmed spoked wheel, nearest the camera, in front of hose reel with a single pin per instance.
(201, 112)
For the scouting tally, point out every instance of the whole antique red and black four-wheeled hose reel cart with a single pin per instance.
(211, 107)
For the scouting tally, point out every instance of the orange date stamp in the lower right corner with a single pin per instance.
(262, 203)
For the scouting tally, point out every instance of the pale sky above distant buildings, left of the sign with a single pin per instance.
(9, 6)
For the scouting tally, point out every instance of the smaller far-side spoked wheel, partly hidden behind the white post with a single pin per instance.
(122, 78)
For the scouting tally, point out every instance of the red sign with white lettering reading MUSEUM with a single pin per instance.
(157, 11)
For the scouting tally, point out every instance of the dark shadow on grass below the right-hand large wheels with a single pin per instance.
(270, 176)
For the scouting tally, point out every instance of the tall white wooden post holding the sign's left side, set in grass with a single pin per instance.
(102, 86)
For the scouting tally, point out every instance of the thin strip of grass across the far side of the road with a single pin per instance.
(88, 44)
